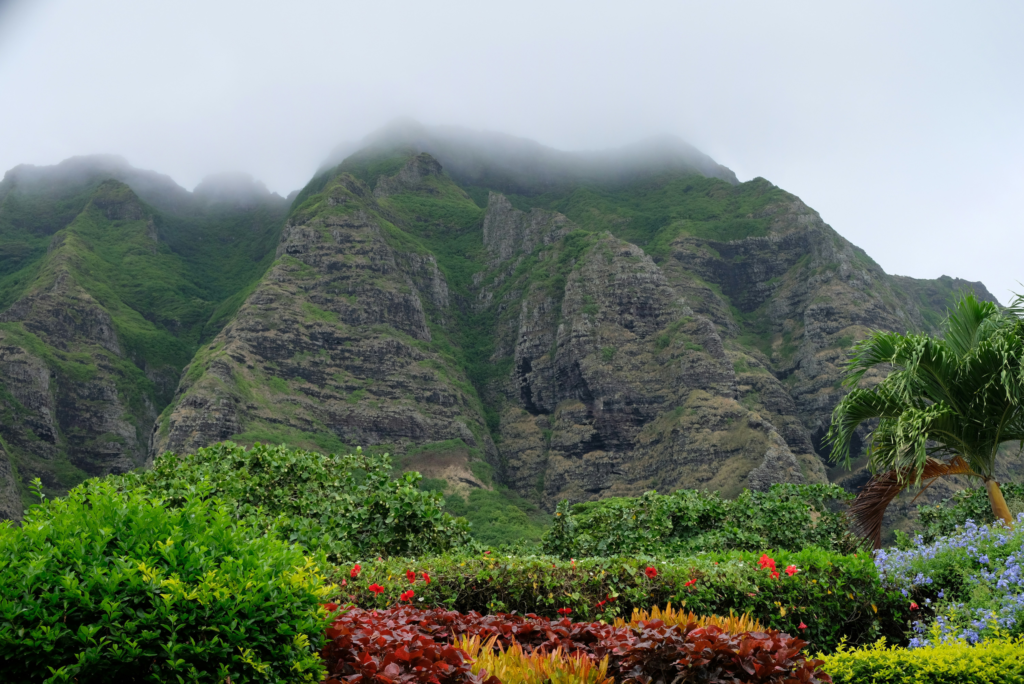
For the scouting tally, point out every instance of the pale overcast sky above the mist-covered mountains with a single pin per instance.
(901, 122)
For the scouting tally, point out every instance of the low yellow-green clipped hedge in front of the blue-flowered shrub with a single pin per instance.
(990, 663)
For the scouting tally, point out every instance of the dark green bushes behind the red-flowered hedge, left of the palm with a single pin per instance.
(690, 522)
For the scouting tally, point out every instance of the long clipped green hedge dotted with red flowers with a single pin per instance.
(833, 595)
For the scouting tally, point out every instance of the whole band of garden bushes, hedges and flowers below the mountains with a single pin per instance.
(217, 565)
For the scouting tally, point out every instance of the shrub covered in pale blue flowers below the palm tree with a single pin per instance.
(967, 586)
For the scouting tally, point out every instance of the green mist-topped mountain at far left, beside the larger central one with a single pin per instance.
(110, 280)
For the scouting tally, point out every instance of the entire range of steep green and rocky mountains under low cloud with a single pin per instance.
(490, 311)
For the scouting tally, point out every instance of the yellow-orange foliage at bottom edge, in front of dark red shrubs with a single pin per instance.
(513, 666)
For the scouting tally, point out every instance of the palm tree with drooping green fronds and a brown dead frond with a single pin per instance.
(945, 410)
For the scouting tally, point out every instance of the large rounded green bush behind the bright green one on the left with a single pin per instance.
(347, 506)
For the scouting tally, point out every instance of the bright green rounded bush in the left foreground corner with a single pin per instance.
(112, 587)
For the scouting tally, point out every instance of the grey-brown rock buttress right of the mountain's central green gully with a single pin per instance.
(617, 387)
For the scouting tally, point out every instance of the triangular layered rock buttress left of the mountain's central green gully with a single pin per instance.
(334, 347)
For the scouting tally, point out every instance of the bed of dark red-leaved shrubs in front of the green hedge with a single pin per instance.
(651, 653)
